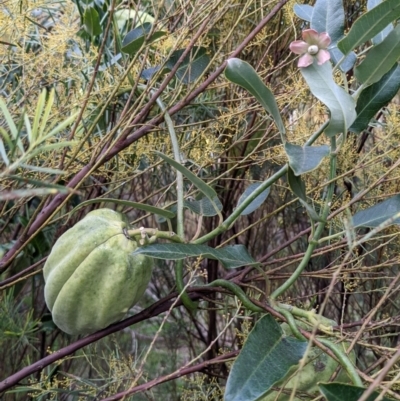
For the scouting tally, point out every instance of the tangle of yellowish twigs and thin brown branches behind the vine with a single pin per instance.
(80, 110)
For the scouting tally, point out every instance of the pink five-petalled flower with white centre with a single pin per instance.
(313, 45)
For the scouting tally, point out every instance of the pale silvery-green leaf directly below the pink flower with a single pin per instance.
(340, 104)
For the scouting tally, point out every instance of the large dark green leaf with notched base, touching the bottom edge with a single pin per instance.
(266, 358)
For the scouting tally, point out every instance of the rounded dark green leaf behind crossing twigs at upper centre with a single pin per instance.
(192, 66)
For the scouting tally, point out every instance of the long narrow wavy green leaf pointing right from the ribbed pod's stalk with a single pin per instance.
(232, 256)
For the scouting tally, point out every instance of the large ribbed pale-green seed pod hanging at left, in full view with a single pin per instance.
(91, 277)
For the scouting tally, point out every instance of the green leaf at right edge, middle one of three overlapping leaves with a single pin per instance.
(380, 59)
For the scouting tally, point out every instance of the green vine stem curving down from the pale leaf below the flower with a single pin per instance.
(319, 230)
